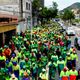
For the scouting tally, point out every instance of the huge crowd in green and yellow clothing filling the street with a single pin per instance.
(38, 56)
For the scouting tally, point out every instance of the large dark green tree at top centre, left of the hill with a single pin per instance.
(48, 13)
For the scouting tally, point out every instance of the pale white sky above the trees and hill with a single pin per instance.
(61, 3)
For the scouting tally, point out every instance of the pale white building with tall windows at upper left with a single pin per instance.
(12, 7)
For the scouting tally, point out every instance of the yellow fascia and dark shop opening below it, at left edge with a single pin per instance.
(6, 33)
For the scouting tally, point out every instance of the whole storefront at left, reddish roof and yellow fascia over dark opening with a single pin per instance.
(8, 24)
